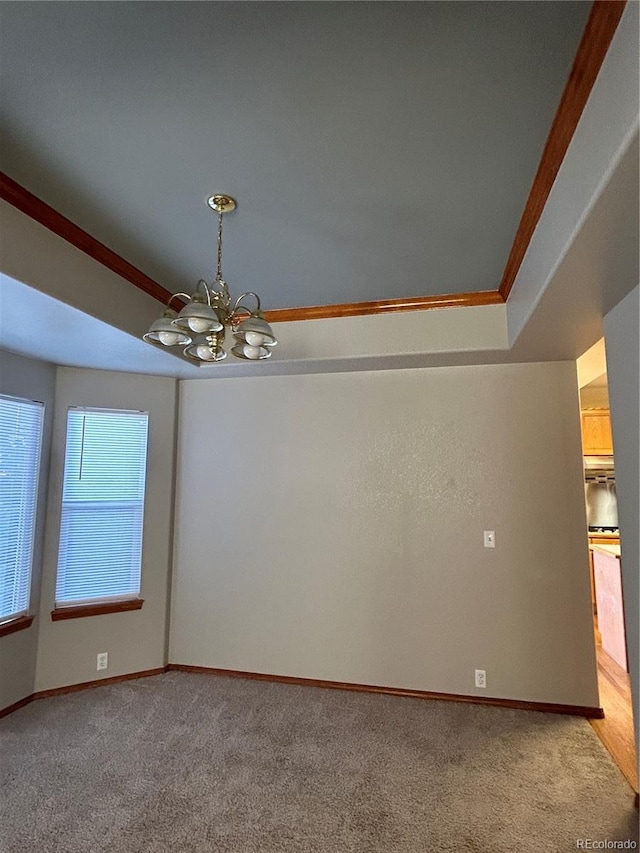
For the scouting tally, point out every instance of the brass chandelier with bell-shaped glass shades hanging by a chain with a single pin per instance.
(199, 328)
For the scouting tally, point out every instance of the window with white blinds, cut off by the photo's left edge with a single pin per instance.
(20, 442)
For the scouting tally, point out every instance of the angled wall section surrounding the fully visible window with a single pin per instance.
(135, 640)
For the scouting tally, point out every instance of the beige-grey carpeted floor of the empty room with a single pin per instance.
(195, 763)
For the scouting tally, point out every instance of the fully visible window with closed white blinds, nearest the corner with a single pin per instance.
(100, 552)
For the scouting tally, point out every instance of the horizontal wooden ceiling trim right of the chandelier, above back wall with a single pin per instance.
(384, 306)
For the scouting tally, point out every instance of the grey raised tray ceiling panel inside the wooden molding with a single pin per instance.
(377, 150)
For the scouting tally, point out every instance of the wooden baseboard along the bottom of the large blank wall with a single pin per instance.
(548, 708)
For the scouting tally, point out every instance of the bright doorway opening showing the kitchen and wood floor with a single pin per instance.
(616, 728)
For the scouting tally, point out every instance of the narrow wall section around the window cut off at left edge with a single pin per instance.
(33, 380)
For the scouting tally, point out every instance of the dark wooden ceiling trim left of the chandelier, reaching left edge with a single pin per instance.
(33, 207)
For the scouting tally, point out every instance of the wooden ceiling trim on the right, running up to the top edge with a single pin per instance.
(599, 30)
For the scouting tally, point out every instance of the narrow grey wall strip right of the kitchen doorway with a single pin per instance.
(623, 373)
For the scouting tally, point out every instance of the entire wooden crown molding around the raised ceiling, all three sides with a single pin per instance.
(601, 25)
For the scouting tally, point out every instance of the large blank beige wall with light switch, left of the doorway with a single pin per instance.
(331, 527)
